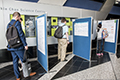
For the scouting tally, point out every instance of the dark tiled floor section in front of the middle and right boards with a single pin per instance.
(78, 64)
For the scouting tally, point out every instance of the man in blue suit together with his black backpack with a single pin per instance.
(17, 51)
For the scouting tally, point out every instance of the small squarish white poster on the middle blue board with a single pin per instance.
(81, 29)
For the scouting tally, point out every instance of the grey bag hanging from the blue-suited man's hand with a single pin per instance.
(26, 66)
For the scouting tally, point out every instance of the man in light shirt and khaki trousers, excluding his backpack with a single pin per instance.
(62, 43)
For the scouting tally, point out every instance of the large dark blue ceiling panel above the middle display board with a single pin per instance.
(85, 4)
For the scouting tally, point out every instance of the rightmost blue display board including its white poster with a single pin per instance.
(111, 41)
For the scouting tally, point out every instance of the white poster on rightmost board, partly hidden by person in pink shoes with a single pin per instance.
(110, 25)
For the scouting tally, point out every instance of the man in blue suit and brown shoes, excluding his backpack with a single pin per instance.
(18, 53)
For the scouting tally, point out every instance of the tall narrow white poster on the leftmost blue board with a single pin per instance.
(41, 34)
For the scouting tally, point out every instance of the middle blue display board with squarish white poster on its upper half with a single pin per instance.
(82, 31)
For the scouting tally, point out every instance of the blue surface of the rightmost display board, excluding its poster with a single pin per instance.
(112, 46)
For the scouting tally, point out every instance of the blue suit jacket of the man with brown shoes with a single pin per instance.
(21, 35)
